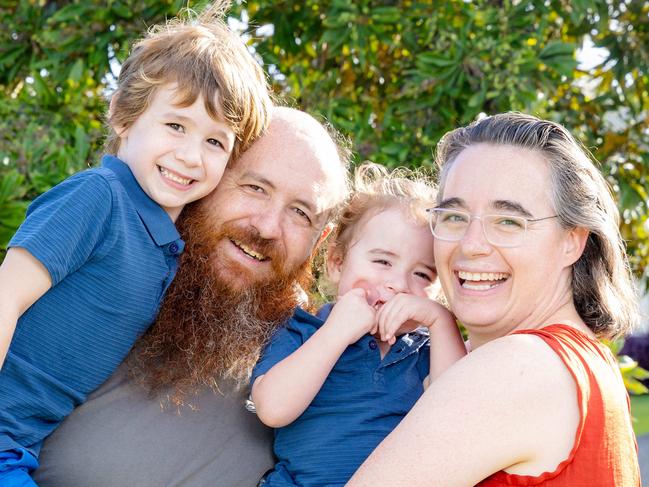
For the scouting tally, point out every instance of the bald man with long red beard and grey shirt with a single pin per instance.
(249, 247)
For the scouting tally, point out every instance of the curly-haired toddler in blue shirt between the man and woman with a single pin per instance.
(334, 385)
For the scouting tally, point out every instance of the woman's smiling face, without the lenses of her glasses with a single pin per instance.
(494, 290)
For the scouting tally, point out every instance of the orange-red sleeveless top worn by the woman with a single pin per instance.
(605, 452)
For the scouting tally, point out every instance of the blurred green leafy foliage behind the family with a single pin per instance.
(393, 75)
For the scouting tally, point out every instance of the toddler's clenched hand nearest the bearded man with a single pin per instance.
(352, 317)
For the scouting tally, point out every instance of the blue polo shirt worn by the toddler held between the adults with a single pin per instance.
(360, 403)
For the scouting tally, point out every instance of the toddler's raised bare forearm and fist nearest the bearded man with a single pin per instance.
(286, 390)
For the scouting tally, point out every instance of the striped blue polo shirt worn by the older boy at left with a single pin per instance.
(111, 252)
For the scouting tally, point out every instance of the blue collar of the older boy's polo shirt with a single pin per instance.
(155, 219)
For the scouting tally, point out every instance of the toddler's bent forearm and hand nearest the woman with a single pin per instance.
(447, 345)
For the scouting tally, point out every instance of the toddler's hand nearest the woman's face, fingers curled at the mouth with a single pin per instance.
(405, 312)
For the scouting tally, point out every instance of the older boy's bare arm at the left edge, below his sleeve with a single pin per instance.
(23, 279)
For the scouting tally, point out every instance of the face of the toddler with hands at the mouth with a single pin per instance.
(388, 254)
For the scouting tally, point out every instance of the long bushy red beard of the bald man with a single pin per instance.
(216, 316)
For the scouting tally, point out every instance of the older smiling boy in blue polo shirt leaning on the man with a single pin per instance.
(86, 271)
